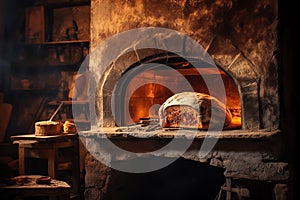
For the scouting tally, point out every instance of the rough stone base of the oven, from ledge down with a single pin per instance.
(255, 158)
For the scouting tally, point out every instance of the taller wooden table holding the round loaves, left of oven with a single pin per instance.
(61, 152)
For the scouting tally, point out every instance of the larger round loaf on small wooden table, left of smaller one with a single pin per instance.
(44, 128)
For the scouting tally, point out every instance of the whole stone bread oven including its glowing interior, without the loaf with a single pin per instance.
(241, 38)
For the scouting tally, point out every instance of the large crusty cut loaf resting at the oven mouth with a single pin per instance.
(193, 110)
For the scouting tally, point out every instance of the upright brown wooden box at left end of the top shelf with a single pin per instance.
(35, 24)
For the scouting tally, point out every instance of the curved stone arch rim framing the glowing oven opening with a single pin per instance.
(128, 68)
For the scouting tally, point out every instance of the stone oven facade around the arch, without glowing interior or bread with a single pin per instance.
(241, 38)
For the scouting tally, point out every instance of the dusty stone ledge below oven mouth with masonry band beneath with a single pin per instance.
(243, 154)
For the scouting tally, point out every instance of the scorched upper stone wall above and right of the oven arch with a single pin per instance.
(241, 37)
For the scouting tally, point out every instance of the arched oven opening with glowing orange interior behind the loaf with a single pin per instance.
(146, 85)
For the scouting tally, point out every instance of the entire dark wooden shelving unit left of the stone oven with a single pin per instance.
(55, 44)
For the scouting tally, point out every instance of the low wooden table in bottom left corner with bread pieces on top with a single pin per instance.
(55, 190)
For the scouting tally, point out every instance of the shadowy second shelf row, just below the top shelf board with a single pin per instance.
(49, 56)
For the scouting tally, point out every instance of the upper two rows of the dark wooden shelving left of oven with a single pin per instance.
(56, 34)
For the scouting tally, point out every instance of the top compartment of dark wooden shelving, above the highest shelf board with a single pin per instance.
(56, 21)
